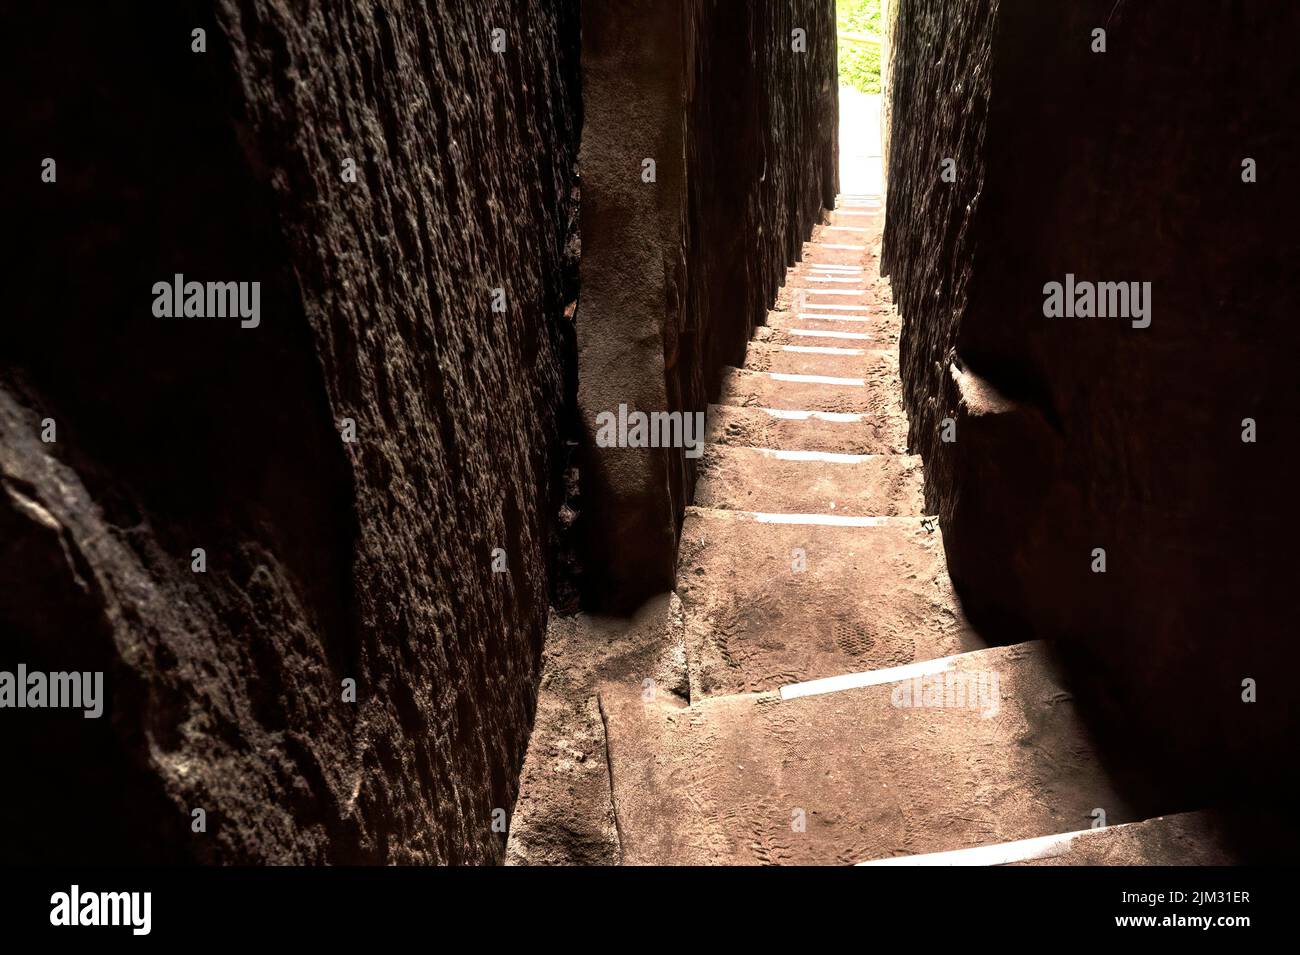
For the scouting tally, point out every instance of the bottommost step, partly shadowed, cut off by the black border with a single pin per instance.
(1186, 839)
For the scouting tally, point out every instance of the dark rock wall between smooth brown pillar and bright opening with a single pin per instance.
(762, 155)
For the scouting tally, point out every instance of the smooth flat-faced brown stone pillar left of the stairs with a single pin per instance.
(634, 210)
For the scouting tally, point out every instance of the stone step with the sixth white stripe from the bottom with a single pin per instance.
(872, 394)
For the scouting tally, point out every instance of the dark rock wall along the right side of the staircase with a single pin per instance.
(1085, 435)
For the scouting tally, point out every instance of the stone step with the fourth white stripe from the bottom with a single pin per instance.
(782, 481)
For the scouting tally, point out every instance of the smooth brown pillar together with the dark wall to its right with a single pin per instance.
(677, 274)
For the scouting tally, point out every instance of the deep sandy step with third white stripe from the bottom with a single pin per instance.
(778, 598)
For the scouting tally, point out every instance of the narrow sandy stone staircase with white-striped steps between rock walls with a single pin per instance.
(840, 709)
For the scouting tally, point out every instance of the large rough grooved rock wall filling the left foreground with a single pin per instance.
(327, 561)
